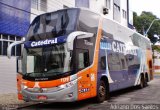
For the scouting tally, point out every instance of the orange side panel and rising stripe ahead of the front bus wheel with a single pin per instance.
(93, 70)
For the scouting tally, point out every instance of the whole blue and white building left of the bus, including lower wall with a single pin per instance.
(14, 23)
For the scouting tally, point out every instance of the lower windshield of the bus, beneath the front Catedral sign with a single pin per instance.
(47, 61)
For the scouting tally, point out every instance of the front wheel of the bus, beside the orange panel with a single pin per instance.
(101, 95)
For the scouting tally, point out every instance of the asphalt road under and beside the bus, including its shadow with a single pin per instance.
(133, 98)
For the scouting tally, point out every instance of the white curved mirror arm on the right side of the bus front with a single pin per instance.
(79, 35)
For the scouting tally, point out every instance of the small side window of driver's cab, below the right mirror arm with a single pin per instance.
(83, 59)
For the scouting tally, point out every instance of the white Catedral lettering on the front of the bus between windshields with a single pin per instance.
(45, 42)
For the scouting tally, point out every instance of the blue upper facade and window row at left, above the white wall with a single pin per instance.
(14, 23)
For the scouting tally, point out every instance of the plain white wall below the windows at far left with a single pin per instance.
(8, 81)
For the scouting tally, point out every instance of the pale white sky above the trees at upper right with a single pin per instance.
(146, 5)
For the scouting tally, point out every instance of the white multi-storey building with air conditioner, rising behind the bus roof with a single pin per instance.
(118, 10)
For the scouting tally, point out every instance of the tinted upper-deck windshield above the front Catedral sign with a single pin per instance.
(51, 25)
